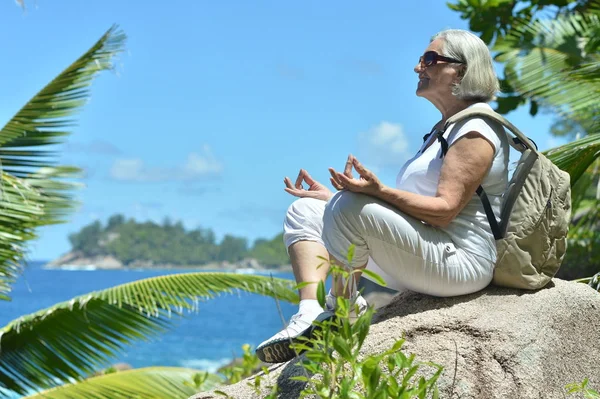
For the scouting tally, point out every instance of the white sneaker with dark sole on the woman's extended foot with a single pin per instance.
(277, 349)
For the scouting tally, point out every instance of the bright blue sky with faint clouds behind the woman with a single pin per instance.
(215, 102)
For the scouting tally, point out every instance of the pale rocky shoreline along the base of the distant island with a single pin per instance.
(76, 260)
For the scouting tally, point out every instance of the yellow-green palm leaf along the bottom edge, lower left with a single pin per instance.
(152, 382)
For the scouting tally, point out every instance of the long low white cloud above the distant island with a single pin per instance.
(198, 165)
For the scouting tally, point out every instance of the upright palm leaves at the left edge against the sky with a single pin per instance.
(34, 192)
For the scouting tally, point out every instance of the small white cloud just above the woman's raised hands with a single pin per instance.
(384, 145)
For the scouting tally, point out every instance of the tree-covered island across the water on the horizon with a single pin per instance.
(126, 243)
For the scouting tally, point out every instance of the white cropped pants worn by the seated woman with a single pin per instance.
(405, 252)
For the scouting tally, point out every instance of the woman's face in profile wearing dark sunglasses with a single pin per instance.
(435, 81)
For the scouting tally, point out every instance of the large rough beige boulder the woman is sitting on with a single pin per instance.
(497, 343)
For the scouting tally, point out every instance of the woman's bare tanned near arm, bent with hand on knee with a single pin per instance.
(465, 165)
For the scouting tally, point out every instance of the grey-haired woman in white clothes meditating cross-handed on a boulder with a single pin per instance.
(430, 233)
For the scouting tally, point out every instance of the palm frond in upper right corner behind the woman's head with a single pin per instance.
(554, 69)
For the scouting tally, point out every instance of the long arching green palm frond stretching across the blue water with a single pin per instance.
(77, 337)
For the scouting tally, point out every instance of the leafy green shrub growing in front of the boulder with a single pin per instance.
(332, 353)
